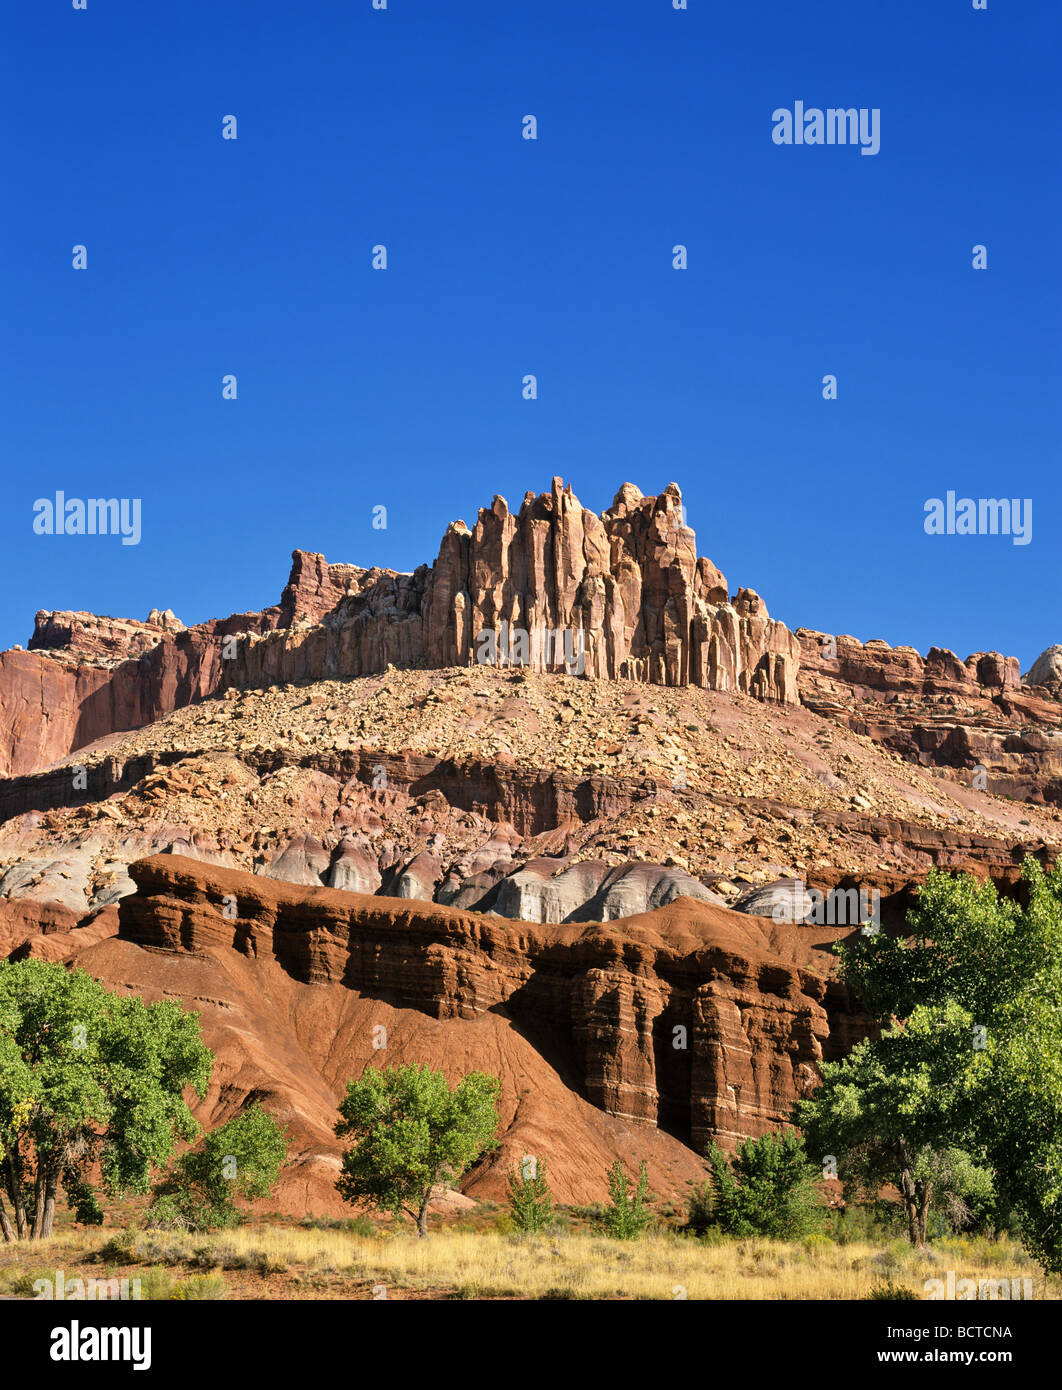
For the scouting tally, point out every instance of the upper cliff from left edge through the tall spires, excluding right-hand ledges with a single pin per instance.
(615, 596)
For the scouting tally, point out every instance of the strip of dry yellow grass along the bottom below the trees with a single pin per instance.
(266, 1260)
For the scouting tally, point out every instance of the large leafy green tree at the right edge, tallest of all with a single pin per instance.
(970, 1057)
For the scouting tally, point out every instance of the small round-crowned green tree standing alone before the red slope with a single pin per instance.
(414, 1131)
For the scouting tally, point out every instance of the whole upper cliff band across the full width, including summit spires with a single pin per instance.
(619, 596)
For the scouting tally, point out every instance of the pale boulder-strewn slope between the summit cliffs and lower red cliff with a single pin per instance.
(530, 797)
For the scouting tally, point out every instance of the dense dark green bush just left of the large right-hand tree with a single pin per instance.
(768, 1188)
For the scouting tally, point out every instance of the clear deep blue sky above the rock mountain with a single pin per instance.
(507, 256)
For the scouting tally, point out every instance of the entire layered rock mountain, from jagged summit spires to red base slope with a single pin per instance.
(503, 868)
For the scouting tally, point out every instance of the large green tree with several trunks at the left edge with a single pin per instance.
(87, 1078)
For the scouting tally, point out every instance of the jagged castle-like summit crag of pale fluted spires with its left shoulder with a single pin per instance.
(554, 589)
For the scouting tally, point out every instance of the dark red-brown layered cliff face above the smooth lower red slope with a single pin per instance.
(689, 1018)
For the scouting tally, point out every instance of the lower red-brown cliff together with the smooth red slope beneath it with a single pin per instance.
(642, 1040)
